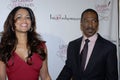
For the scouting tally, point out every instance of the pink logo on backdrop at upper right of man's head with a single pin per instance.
(103, 8)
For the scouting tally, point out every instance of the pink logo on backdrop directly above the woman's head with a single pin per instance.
(25, 3)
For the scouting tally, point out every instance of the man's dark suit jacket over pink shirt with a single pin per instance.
(102, 64)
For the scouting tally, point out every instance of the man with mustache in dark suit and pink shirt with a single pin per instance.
(101, 61)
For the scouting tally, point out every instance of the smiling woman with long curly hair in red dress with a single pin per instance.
(23, 54)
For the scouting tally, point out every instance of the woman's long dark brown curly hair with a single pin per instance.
(9, 39)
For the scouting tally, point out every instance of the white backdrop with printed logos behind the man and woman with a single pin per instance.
(58, 21)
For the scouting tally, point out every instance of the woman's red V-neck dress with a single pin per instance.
(20, 70)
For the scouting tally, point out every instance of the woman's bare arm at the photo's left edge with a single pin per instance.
(2, 71)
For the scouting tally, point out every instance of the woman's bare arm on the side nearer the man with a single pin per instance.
(44, 73)
